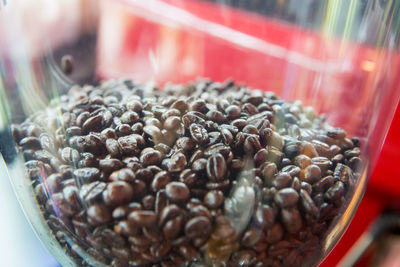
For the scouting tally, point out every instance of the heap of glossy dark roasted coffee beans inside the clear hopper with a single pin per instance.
(203, 174)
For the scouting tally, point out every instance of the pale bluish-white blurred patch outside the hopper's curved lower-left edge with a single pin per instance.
(19, 246)
